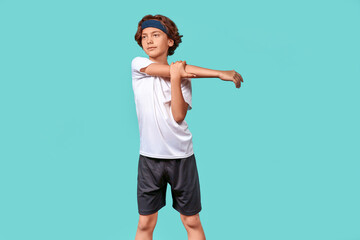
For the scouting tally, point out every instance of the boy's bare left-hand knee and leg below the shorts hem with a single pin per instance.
(146, 226)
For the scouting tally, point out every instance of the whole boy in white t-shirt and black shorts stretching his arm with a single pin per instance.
(163, 95)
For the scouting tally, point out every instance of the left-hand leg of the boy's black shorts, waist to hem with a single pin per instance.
(151, 185)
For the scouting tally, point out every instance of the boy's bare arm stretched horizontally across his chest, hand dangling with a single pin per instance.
(191, 71)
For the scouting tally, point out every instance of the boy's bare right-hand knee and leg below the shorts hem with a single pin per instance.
(193, 227)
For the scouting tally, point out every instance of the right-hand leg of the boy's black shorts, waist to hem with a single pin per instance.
(185, 185)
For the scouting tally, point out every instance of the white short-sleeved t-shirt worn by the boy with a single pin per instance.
(160, 135)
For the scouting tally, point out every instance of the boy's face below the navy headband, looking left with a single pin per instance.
(155, 42)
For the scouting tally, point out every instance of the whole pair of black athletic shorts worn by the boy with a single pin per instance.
(181, 174)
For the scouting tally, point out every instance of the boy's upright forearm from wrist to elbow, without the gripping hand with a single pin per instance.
(178, 104)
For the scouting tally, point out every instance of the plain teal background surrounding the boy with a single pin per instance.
(278, 159)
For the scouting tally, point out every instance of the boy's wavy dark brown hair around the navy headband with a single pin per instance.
(170, 26)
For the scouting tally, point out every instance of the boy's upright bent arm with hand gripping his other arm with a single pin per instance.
(178, 105)
